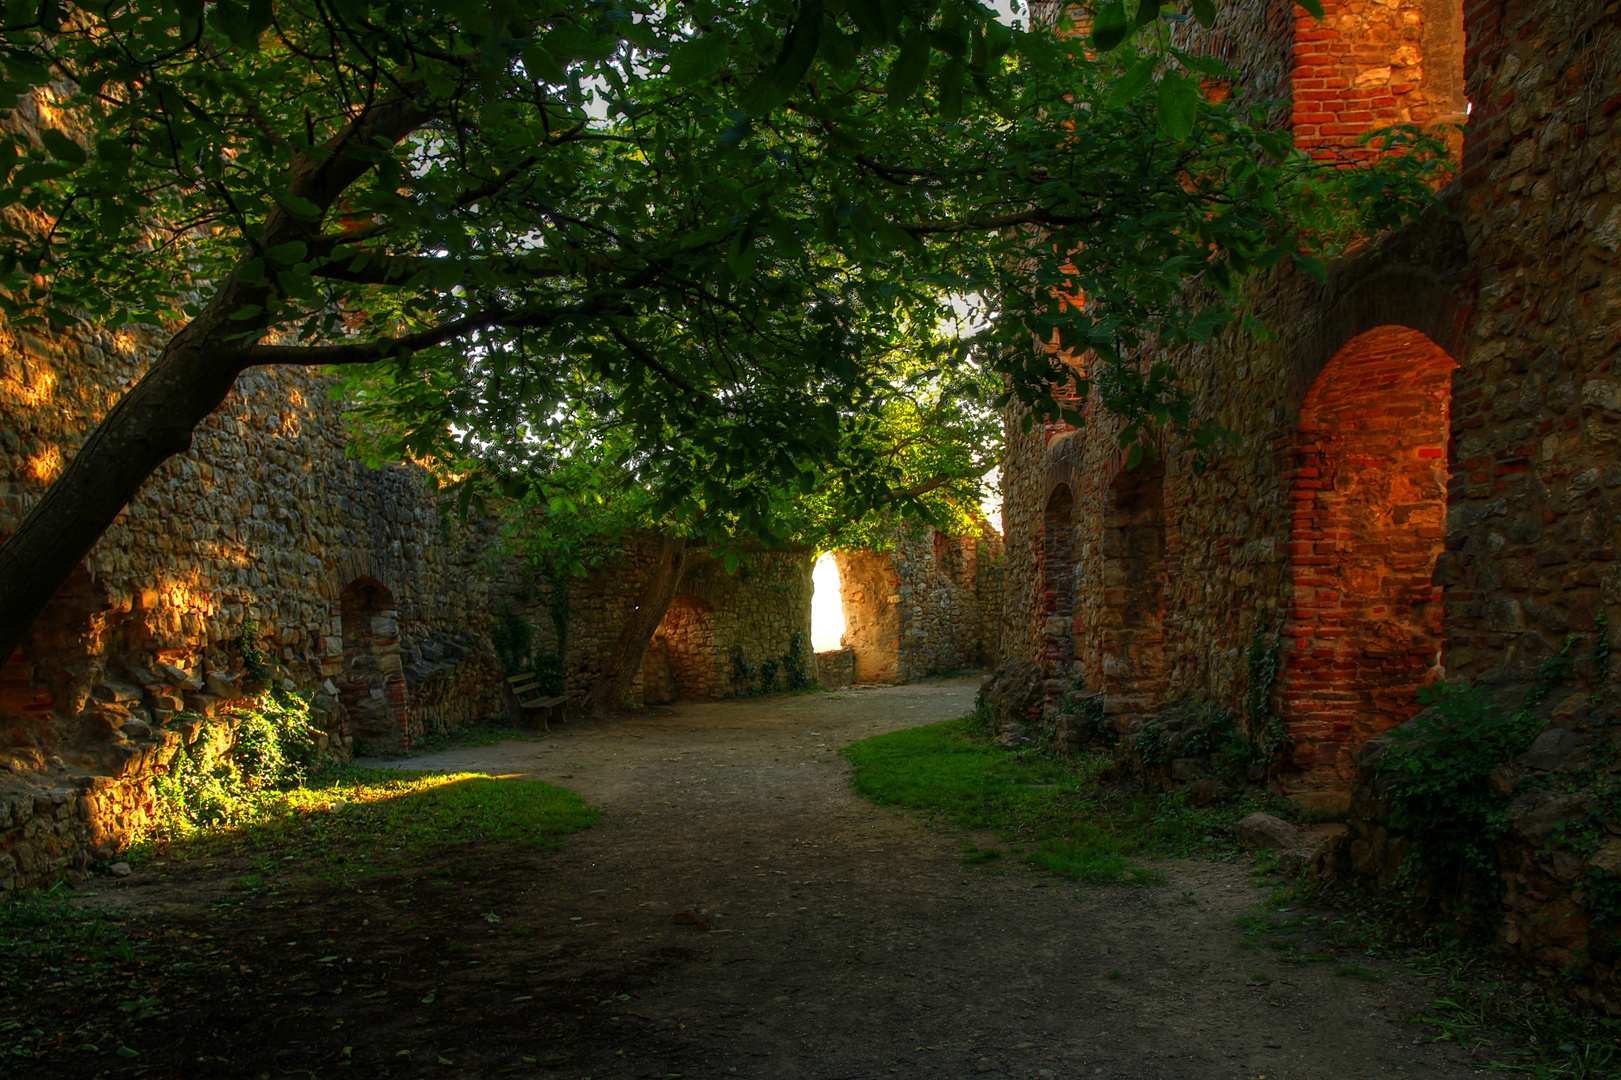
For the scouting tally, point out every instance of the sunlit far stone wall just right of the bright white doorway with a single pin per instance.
(926, 606)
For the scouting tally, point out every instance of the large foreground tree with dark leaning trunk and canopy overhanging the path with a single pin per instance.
(721, 228)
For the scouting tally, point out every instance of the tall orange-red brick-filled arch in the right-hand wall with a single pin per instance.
(1369, 489)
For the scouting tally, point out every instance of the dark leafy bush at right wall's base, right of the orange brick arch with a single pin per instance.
(1445, 758)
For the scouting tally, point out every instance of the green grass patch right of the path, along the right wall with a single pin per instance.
(1072, 821)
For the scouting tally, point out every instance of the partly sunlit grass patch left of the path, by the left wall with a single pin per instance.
(366, 820)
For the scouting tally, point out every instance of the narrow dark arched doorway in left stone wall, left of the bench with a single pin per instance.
(372, 685)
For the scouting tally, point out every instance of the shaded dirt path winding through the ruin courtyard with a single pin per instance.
(850, 941)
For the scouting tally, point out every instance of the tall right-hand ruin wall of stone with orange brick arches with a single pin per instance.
(1429, 481)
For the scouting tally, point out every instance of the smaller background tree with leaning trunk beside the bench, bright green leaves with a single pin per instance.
(926, 450)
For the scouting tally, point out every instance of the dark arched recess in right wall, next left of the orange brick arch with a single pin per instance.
(1134, 581)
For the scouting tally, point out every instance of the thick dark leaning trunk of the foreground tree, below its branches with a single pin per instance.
(148, 427)
